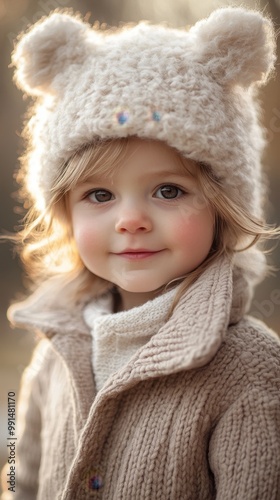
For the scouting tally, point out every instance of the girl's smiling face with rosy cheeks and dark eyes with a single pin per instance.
(144, 225)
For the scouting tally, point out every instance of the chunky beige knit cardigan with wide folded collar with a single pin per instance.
(194, 415)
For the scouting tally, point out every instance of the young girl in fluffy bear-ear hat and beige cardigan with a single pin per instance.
(143, 177)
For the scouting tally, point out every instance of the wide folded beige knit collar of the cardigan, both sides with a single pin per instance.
(189, 339)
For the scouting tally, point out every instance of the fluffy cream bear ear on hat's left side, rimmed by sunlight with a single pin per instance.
(47, 49)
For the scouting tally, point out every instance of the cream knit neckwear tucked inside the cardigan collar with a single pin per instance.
(117, 336)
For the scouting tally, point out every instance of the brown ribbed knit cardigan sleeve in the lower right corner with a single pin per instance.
(245, 447)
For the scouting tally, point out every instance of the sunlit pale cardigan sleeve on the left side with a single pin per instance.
(28, 429)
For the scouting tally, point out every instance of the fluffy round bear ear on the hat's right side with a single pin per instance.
(236, 46)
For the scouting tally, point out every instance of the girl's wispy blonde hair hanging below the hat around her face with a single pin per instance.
(48, 249)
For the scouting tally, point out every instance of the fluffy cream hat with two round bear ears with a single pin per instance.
(192, 89)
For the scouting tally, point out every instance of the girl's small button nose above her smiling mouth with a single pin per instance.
(133, 221)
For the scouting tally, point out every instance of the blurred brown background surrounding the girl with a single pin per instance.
(16, 16)
